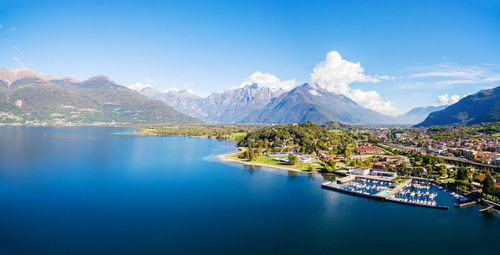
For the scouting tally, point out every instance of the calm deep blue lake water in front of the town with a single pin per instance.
(99, 191)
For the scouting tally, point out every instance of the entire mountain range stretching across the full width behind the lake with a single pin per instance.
(29, 97)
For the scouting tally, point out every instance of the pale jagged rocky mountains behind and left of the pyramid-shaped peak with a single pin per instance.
(230, 106)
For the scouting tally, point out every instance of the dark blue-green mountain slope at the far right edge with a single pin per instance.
(484, 106)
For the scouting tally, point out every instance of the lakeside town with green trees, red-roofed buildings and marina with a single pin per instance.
(463, 160)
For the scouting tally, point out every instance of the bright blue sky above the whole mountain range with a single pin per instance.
(411, 52)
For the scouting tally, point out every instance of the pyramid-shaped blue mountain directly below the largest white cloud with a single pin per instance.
(311, 103)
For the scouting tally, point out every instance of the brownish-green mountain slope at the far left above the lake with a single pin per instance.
(28, 97)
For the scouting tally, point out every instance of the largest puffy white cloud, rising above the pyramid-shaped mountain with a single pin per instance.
(335, 74)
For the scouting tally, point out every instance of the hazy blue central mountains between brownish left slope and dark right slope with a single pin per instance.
(256, 104)
